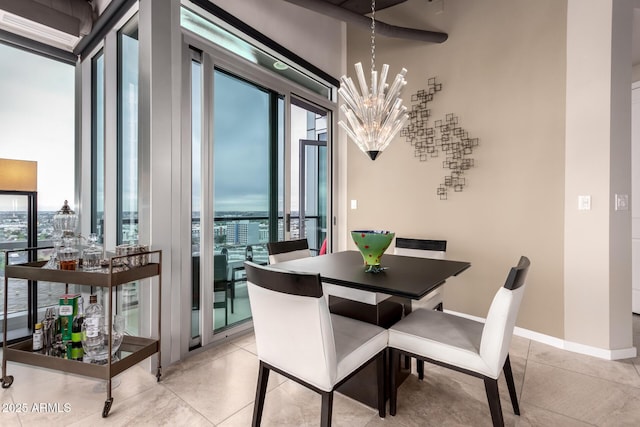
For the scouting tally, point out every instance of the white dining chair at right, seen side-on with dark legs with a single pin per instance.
(465, 345)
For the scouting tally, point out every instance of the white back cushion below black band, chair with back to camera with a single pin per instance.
(294, 333)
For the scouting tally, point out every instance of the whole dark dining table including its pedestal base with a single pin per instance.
(381, 298)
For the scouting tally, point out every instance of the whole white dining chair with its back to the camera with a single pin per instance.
(297, 337)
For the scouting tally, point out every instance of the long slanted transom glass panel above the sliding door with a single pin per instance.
(252, 53)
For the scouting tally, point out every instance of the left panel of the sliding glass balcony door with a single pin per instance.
(236, 132)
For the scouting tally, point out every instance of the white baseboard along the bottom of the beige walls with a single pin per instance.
(601, 353)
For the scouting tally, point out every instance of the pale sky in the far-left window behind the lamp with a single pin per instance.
(37, 122)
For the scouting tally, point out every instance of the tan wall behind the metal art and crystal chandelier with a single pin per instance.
(503, 73)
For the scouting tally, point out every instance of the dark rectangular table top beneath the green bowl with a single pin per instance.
(405, 276)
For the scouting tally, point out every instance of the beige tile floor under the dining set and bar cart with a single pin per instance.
(216, 388)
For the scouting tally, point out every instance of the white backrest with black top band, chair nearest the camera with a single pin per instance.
(292, 324)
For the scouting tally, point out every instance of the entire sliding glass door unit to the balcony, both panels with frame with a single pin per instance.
(258, 173)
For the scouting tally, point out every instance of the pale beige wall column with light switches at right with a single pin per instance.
(598, 163)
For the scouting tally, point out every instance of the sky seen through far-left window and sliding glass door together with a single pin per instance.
(37, 123)
